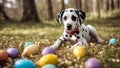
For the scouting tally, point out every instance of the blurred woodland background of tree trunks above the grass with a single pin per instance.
(37, 10)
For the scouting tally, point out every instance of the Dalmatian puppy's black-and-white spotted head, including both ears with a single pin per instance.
(71, 18)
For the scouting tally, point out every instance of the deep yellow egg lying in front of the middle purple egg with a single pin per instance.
(48, 59)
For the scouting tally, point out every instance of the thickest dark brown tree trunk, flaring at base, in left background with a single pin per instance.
(29, 11)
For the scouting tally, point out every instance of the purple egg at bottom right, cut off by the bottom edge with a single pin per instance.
(93, 63)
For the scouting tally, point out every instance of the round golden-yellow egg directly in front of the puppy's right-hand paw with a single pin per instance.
(79, 51)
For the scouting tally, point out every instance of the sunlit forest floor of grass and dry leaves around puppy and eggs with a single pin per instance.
(15, 34)
